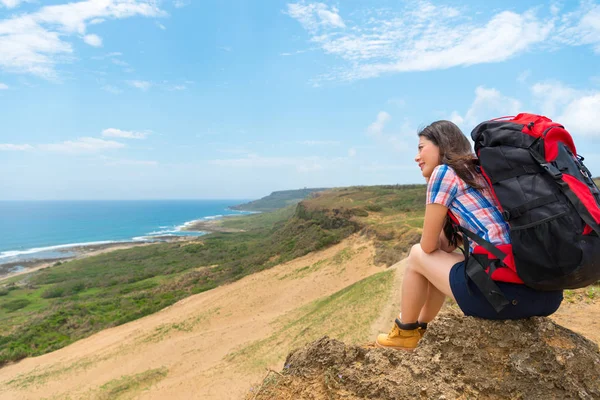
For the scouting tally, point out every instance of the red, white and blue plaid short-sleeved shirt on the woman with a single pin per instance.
(475, 210)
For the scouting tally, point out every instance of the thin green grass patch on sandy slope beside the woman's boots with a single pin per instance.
(346, 315)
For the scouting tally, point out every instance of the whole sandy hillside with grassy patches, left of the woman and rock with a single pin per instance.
(216, 344)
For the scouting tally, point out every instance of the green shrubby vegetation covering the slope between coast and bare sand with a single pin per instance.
(53, 307)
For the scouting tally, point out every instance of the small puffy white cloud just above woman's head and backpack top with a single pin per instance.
(488, 104)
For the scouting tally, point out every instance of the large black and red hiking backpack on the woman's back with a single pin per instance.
(549, 200)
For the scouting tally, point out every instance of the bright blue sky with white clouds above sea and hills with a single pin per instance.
(190, 99)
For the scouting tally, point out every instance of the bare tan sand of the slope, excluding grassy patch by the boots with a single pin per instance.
(191, 338)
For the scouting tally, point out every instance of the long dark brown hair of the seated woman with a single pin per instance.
(455, 151)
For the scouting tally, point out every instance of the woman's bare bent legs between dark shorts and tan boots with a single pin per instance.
(425, 272)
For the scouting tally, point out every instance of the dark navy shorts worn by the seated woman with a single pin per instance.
(524, 301)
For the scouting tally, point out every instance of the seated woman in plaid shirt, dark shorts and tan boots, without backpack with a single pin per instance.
(433, 269)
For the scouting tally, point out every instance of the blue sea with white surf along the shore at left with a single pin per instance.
(47, 229)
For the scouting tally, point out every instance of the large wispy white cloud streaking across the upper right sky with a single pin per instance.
(424, 36)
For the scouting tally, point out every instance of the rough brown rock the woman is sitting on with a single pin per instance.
(459, 357)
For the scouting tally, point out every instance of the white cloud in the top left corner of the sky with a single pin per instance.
(34, 43)
